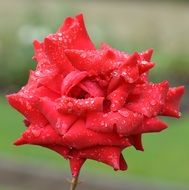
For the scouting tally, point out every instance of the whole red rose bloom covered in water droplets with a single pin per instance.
(88, 103)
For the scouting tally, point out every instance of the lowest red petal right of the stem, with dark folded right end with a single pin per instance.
(109, 155)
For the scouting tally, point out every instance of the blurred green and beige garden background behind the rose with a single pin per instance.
(125, 25)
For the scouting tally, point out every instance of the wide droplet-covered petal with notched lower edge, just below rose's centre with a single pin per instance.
(123, 121)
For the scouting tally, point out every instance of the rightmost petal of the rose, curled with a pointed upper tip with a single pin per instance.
(172, 102)
